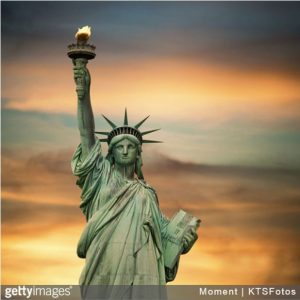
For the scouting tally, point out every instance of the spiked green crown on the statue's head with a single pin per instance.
(126, 129)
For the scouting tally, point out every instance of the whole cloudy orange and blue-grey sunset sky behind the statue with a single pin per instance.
(221, 79)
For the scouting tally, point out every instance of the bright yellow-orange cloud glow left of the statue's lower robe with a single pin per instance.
(42, 259)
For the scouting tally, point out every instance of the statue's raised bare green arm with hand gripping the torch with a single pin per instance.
(85, 115)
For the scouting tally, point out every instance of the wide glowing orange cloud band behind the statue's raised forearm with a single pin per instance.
(161, 87)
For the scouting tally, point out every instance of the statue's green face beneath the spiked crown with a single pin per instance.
(125, 152)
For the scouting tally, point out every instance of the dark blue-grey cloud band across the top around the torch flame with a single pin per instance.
(252, 34)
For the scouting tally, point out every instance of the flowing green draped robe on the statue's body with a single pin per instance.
(122, 240)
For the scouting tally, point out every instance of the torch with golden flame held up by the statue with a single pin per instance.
(81, 52)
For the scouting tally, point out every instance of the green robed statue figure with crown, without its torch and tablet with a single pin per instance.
(123, 240)
